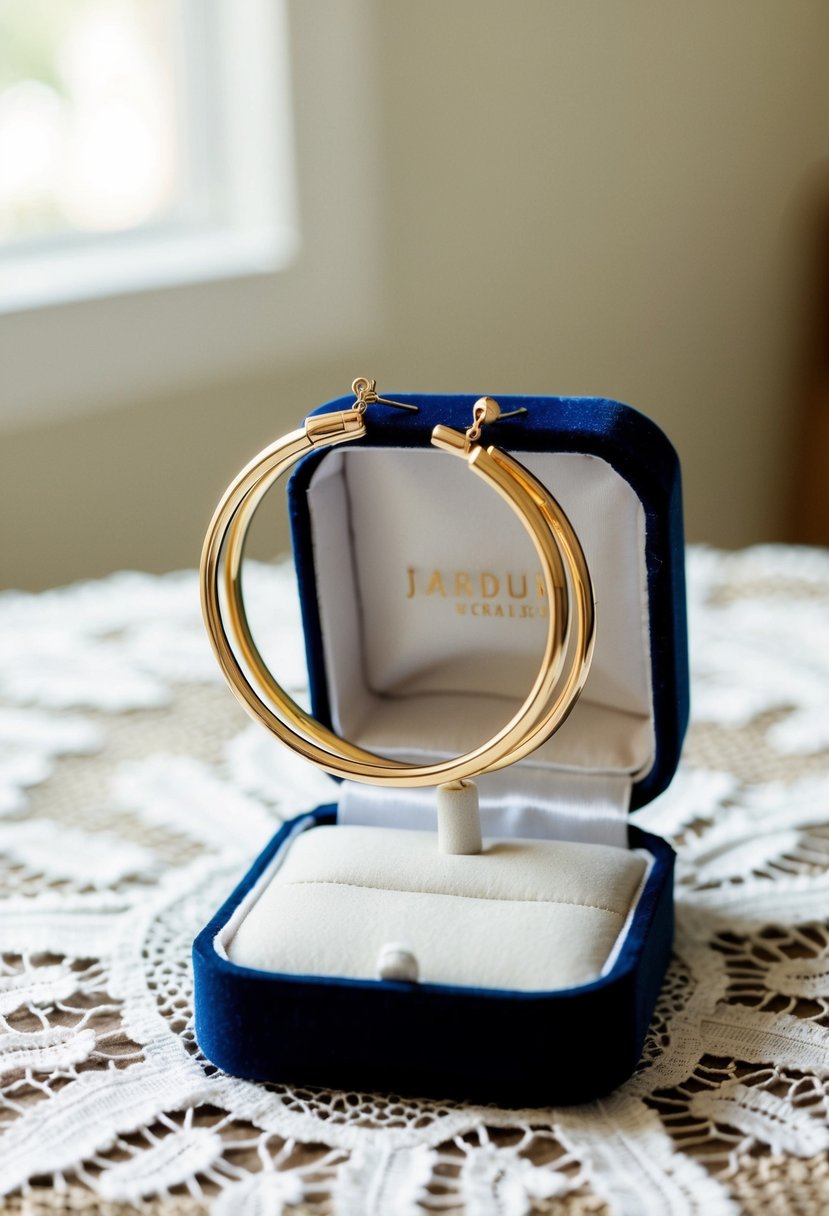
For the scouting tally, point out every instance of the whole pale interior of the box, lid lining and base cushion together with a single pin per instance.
(431, 630)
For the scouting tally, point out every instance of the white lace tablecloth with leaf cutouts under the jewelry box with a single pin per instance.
(133, 796)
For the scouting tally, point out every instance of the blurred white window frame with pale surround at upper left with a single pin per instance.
(241, 299)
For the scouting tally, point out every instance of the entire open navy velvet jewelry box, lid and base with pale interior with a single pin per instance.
(424, 620)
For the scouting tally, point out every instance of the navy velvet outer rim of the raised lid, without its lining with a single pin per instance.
(633, 446)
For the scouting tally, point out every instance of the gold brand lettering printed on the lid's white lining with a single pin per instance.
(483, 594)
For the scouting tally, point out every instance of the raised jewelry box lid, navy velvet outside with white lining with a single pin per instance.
(410, 589)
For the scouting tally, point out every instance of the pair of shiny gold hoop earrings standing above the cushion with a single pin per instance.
(571, 623)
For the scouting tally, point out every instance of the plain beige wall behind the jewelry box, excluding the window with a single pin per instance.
(576, 198)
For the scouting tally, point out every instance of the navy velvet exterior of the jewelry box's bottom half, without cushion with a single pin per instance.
(516, 1049)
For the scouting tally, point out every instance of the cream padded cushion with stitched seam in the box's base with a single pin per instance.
(523, 915)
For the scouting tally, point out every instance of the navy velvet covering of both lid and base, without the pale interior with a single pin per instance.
(516, 1049)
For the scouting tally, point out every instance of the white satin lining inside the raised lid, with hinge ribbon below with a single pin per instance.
(413, 678)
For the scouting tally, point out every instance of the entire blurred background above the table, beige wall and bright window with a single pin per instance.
(216, 213)
